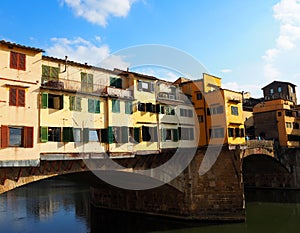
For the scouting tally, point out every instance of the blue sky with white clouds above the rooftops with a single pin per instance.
(248, 43)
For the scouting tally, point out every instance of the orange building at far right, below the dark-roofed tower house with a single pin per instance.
(278, 120)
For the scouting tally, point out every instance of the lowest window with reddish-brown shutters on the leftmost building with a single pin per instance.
(17, 136)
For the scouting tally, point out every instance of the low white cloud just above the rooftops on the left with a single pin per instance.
(81, 50)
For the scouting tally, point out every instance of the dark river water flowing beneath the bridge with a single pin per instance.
(62, 205)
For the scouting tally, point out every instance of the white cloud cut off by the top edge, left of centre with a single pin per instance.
(98, 11)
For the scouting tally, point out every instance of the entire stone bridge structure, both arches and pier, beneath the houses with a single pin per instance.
(210, 188)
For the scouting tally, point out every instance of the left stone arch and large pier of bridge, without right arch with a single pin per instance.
(209, 188)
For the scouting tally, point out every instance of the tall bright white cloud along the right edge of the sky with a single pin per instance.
(280, 62)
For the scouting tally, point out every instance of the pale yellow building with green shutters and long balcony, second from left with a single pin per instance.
(72, 109)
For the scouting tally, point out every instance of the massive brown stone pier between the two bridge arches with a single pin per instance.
(216, 195)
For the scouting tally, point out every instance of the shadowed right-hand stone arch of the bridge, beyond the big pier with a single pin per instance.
(266, 165)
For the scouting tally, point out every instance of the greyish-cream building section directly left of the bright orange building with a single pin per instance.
(176, 118)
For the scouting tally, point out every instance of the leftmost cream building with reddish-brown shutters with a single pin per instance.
(20, 69)
